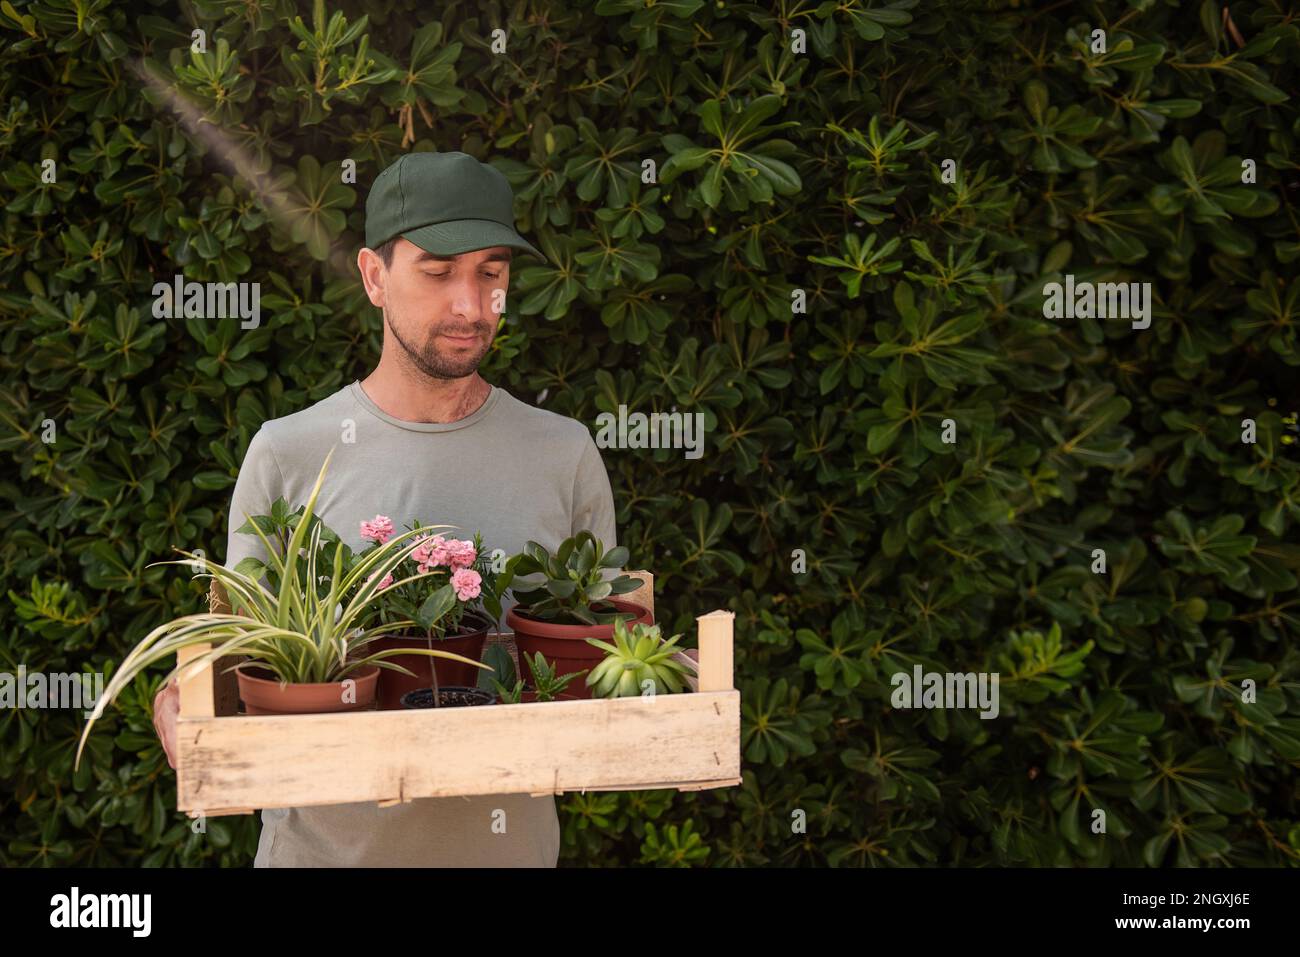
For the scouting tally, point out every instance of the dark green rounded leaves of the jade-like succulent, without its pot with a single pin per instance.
(575, 584)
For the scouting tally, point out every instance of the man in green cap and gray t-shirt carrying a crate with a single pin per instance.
(426, 438)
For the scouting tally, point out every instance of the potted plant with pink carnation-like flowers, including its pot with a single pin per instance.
(453, 605)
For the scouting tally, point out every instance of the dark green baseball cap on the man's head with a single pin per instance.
(445, 203)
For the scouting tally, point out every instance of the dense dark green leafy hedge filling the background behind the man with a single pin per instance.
(801, 274)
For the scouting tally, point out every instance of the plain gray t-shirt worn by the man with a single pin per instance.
(510, 471)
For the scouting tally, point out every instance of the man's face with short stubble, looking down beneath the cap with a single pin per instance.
(440, 310)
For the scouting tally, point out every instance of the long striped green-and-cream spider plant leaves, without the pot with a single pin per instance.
(301, 631)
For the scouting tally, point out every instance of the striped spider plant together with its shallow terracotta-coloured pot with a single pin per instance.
(300, 633)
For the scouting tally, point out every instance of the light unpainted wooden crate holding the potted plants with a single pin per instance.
(231, 764)
